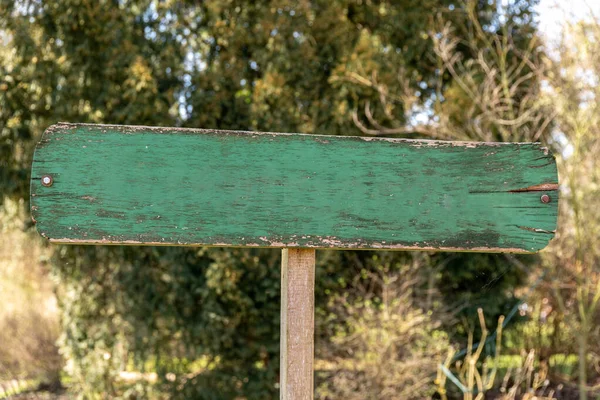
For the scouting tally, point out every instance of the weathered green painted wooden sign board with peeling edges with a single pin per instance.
(171, 186)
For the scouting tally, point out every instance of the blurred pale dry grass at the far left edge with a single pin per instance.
(29, 325)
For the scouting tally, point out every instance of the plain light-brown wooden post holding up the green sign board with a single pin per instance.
(297, 324)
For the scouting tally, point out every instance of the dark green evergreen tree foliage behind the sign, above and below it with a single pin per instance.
(263, 65)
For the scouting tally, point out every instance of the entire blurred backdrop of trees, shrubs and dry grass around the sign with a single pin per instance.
(143, 322)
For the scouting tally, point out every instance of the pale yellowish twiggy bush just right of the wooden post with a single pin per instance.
(386, 346)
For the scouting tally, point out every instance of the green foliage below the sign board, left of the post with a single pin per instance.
(163, 305)
